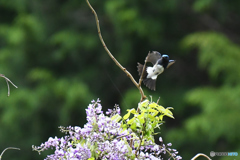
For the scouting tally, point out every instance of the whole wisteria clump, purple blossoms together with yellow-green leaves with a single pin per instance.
(110, 136)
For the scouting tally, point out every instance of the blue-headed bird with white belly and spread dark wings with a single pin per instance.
(150, 74)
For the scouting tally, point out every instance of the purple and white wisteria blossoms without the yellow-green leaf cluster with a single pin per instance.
(102, 137)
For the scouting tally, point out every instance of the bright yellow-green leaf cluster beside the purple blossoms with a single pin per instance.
(144, 121)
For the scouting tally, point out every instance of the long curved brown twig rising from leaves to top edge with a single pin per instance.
(110, 54)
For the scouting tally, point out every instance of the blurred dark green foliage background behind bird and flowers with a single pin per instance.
(50, 49)
